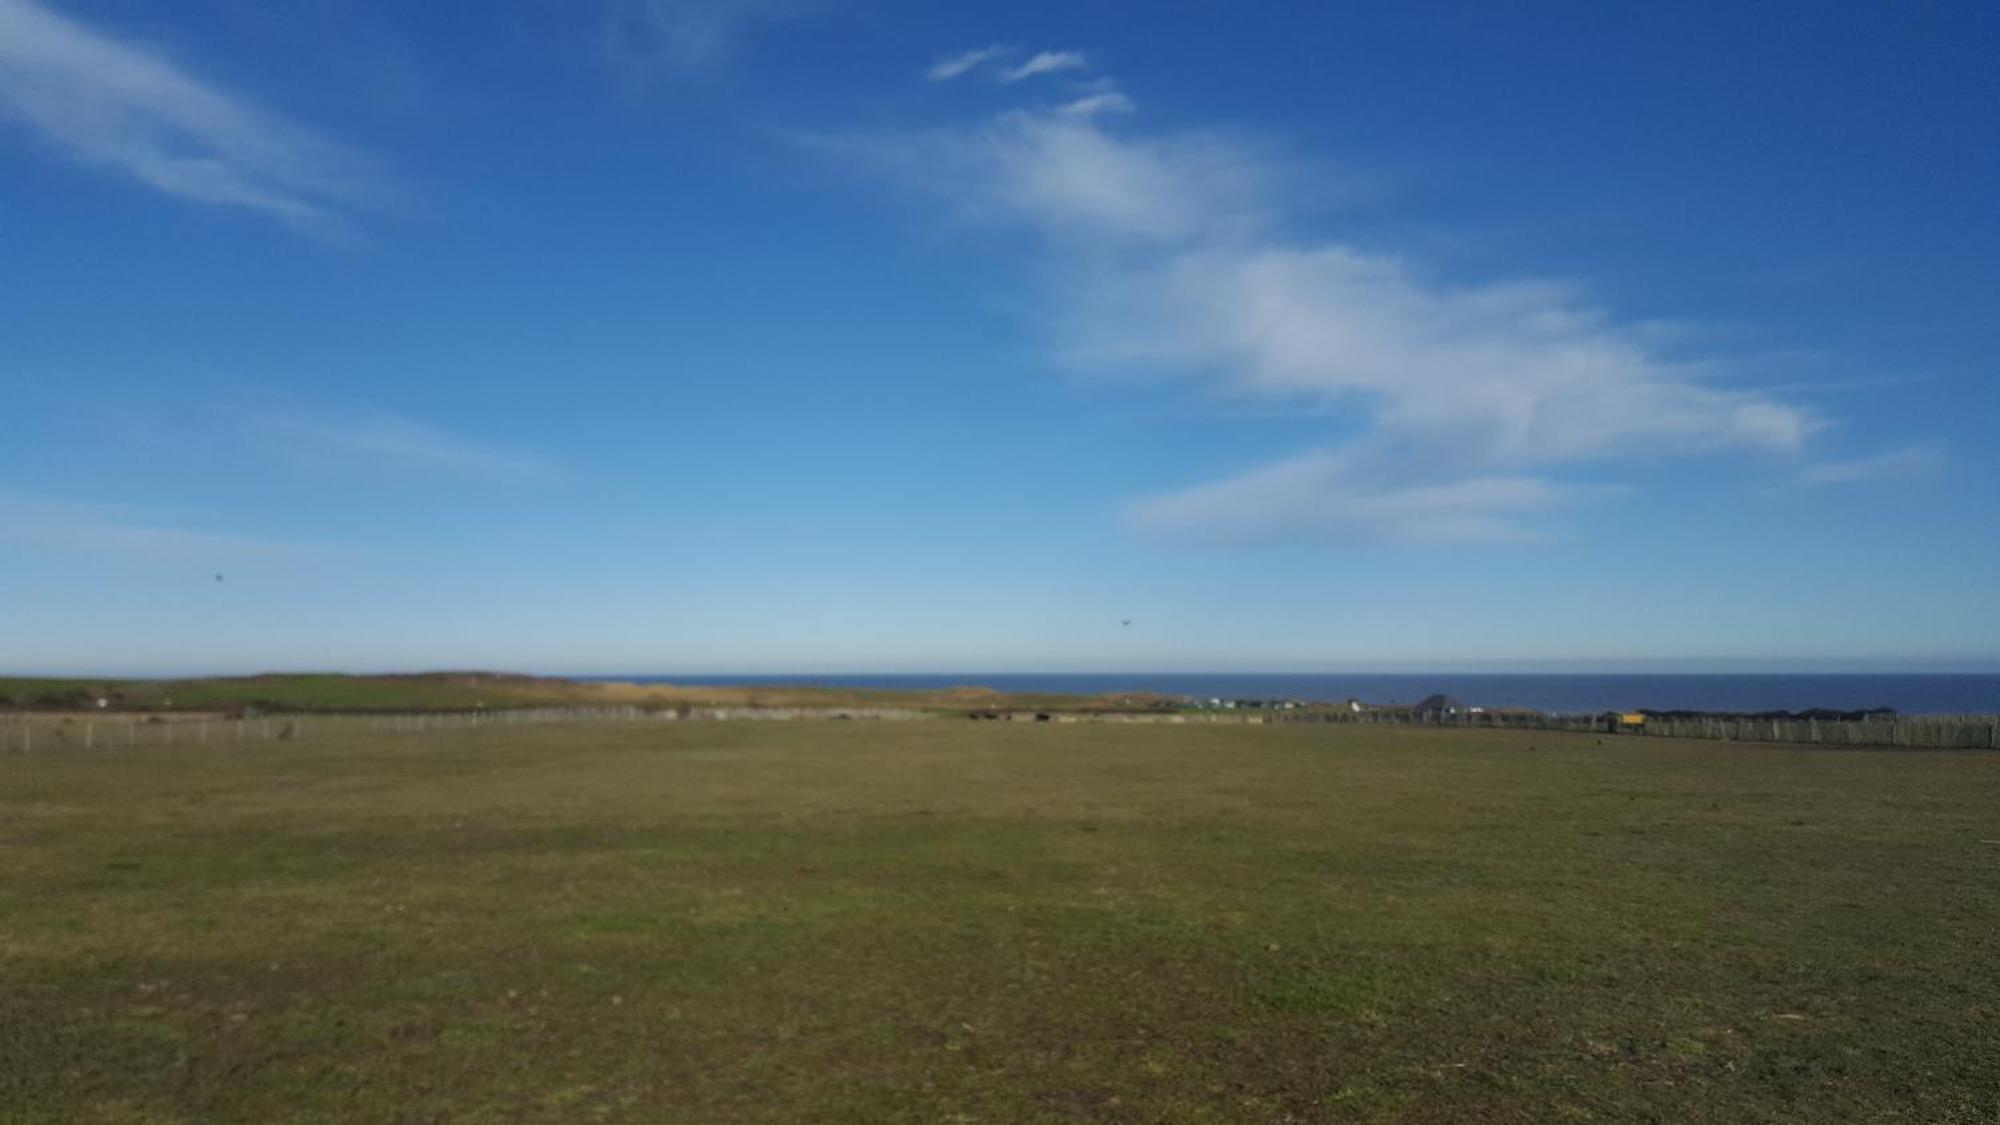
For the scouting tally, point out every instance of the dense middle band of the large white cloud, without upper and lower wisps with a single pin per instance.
(1503, 373)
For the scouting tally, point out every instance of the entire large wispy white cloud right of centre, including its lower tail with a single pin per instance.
(1485, 405)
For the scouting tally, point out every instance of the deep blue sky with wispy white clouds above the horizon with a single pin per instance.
(871, 335)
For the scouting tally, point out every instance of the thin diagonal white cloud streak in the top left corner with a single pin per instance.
(129, 109)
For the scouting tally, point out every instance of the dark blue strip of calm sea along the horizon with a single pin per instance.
(1907, 694)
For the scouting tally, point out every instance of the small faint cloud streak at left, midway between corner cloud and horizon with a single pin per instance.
(389, 445)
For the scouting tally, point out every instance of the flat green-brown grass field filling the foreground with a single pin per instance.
(963, 922)
